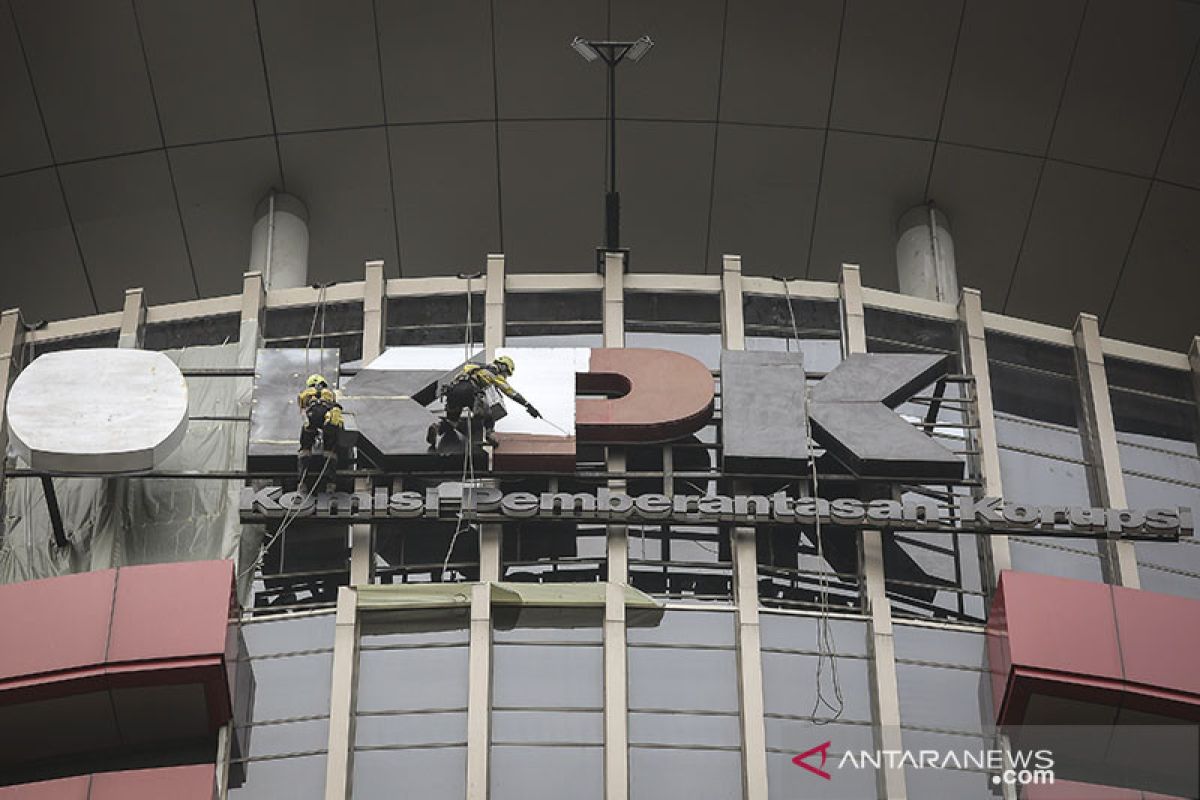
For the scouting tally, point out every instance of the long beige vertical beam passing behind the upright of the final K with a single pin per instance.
(746, 579)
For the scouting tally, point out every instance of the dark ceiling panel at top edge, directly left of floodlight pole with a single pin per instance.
(538, 74)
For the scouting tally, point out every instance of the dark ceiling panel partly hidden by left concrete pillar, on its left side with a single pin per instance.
(219, 188)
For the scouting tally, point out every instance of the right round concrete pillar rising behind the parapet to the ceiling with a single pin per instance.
(926, 256)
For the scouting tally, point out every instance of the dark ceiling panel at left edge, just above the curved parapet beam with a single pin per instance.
(43, 274)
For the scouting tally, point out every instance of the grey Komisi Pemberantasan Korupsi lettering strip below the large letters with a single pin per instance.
(968, 515)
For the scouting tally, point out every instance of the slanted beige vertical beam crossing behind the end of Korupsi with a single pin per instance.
(1118, 558)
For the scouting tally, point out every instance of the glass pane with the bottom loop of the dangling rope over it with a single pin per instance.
(790, 684)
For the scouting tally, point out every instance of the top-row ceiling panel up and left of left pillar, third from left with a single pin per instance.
(207, 69)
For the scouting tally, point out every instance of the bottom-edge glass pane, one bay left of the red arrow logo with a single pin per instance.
(685, 774)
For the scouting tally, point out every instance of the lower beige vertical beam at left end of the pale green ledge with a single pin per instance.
(343, 694)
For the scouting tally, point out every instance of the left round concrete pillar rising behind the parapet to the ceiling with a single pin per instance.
(279, 243)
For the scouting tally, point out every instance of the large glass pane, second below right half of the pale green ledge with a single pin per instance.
(539, 677)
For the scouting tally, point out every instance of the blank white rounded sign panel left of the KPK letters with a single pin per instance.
(98, 412)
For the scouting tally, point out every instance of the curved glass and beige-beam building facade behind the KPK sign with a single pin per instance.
(418, 659)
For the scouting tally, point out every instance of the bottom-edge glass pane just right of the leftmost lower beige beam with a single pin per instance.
(429, 774)
